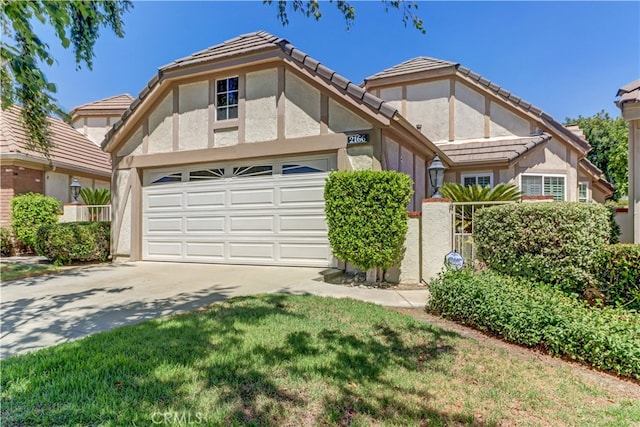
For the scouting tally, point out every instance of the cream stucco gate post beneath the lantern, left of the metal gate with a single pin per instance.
(437, 228)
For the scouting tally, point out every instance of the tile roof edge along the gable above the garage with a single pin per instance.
(253, 43)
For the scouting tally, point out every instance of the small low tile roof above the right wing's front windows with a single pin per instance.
(492, 150)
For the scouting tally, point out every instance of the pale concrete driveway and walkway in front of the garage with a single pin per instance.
(43, 311)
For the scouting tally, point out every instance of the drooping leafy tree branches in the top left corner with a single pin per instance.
(76, 24)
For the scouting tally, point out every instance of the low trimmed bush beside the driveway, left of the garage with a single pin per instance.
(74, 242)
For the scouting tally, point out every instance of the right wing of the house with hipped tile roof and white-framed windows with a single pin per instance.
(490, 135)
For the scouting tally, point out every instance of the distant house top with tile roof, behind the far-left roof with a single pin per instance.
(94, 119)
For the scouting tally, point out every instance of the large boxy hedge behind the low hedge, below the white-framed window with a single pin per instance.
(549, 242)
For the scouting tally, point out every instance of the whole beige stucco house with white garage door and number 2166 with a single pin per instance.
(222, 158)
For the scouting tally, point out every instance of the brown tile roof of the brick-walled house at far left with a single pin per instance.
(72, 149)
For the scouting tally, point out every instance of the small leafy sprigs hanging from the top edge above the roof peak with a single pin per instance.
(311, 8)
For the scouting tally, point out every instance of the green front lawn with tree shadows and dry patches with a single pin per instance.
(297, 360)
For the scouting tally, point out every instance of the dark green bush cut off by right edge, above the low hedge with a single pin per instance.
(616, 269)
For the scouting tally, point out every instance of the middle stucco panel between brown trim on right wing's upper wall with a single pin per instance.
(468, 113)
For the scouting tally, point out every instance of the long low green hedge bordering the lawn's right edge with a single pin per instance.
(535, 316)
